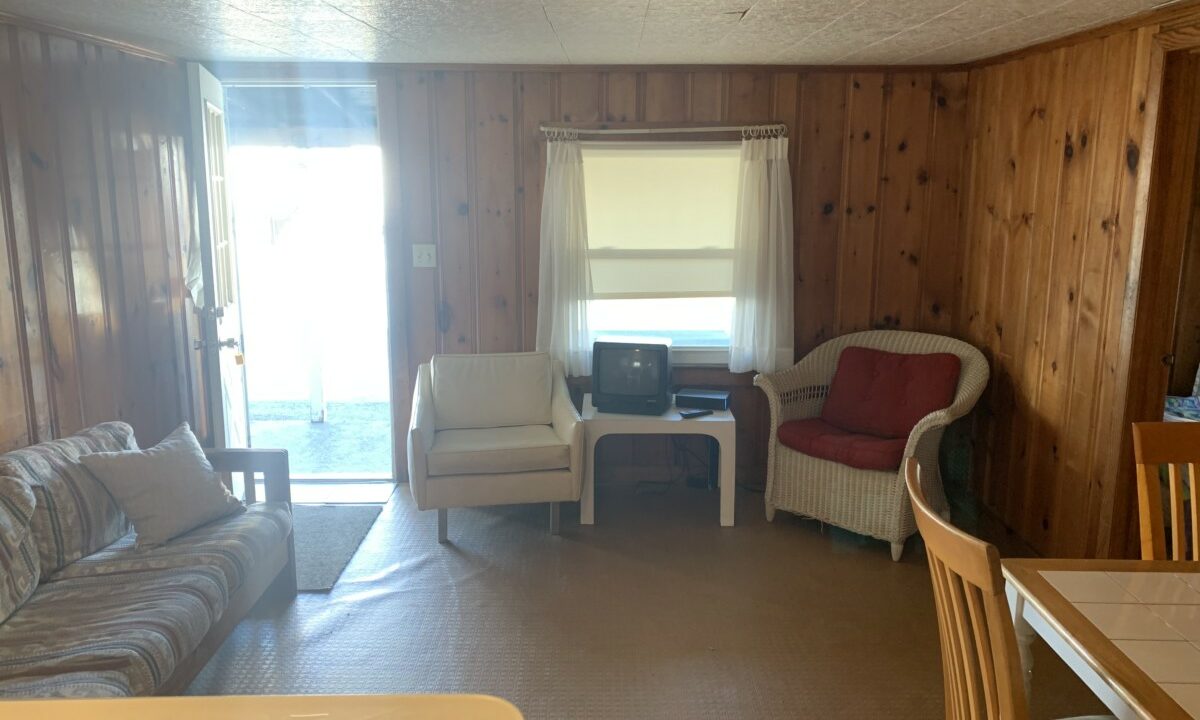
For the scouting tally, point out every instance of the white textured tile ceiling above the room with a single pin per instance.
(583, 32)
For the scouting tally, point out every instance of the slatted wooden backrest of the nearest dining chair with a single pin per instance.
(980, 657)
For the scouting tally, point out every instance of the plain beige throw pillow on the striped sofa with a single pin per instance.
(167, 490)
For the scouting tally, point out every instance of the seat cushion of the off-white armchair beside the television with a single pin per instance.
(484, 452)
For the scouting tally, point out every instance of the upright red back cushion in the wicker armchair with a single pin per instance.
(886, 394)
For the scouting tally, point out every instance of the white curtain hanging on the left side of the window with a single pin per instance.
(565, 285)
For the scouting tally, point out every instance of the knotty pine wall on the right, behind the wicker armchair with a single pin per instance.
(1049, 231)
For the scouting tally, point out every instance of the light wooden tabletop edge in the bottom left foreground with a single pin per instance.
(268, 707)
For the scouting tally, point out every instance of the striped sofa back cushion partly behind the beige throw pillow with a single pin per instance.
(75, 515)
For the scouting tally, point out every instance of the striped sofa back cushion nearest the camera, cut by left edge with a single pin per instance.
(20, 568)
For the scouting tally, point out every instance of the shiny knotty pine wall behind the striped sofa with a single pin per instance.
(93, 209)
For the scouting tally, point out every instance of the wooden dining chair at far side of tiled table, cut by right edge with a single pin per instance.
(1177, 446)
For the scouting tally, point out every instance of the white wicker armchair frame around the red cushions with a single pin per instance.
(867, 502)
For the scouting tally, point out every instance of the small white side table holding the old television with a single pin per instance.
(721, 425)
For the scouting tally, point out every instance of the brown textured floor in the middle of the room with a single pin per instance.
(657, 613)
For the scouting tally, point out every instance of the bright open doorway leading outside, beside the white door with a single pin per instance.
(305, 187)
